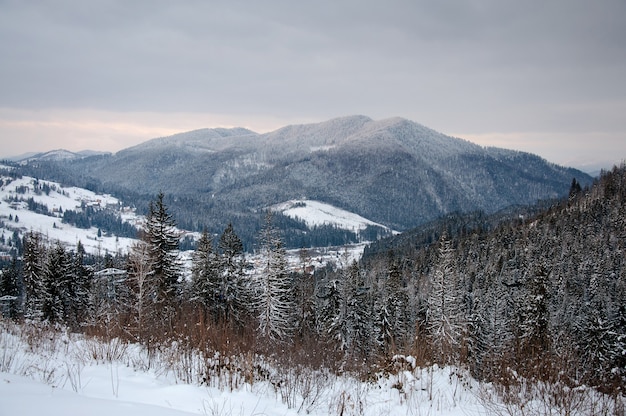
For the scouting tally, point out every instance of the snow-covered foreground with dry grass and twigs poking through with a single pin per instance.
(53, 373)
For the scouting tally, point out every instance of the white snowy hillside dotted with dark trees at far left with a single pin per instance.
(15, 215)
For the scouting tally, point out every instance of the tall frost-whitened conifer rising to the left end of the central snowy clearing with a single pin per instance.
(274, 291)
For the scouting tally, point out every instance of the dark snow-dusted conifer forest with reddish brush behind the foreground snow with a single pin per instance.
(539, 297)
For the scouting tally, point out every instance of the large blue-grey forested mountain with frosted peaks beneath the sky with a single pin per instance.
(394, 172)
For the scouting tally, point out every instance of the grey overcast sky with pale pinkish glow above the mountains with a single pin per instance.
(545, 76)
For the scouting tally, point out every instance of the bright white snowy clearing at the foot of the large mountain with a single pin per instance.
(315, 213)
